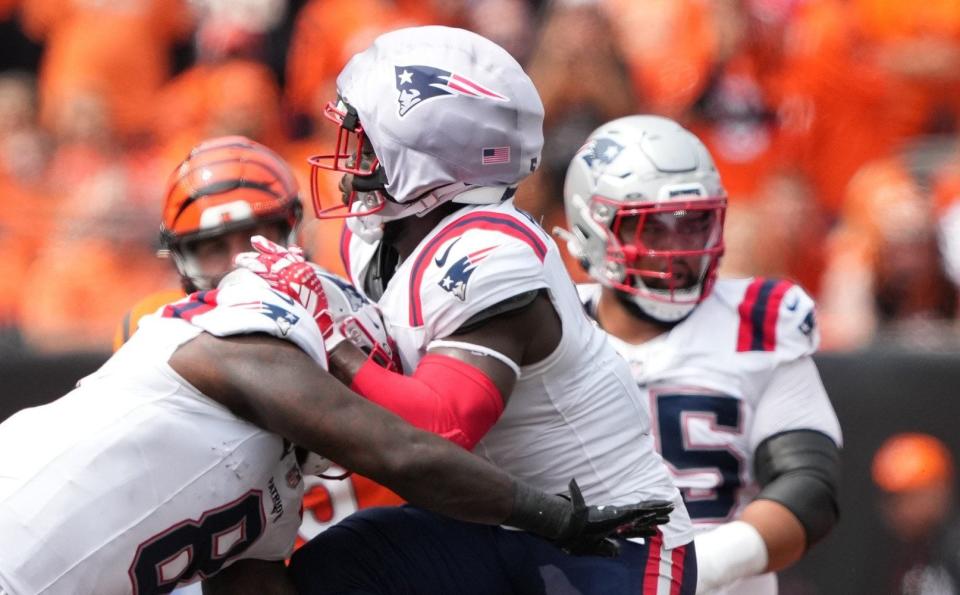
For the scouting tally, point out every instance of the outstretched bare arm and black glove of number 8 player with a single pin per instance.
(275, 385)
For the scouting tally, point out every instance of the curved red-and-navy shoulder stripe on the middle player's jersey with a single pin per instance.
(499, 222)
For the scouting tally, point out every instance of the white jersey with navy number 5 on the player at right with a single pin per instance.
(737, 371)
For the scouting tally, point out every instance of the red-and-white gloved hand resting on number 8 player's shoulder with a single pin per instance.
(288, 272)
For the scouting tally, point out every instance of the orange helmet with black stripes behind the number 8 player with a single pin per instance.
(227, 183)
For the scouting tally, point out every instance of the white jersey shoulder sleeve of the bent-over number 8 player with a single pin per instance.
(245, 304)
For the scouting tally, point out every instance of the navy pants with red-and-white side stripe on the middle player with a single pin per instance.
(409, 551)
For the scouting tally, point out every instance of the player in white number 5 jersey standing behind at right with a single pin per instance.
(740, 414)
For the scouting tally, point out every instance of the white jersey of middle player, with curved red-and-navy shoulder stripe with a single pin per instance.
(576, 414)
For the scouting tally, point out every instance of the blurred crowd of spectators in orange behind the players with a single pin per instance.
(834, 124)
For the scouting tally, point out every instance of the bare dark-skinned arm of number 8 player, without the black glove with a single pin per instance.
(275, 385)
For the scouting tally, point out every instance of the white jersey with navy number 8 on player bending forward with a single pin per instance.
(135, 481)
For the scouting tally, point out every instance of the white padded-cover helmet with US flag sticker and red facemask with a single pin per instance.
(449, 116)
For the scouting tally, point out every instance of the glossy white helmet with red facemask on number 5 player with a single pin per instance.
(645, 208)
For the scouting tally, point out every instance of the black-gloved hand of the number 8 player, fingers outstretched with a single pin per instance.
(592, 528)
